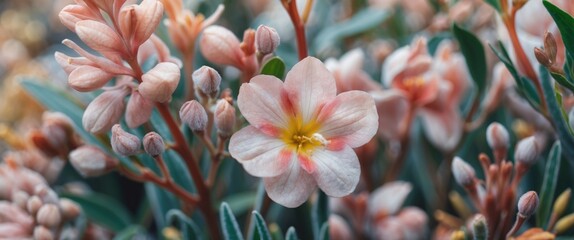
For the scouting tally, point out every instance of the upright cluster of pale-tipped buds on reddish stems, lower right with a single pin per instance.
(494, 198)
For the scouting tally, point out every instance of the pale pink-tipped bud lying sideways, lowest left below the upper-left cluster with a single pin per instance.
(90, 161)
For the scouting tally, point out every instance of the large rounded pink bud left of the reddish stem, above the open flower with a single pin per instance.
(221, 46)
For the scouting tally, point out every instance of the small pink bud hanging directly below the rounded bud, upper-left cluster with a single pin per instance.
(138, 110)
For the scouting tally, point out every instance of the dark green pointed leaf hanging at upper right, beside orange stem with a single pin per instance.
(473, 52)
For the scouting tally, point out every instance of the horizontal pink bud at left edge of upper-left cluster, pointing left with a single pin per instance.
(88, 78)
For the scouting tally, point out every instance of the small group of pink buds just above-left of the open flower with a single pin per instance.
(221, 46)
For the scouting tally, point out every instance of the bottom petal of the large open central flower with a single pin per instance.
(292, 188)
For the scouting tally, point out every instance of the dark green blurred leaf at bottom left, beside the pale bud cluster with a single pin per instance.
(103, 210)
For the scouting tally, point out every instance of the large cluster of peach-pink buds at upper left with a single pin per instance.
(123, 34)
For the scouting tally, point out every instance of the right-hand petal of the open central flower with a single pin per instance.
(351, 115)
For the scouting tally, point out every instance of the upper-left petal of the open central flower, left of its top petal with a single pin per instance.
(260, 102)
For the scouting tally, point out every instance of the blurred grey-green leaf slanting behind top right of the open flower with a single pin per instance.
(362, 21)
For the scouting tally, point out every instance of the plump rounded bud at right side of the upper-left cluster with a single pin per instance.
(159, 83)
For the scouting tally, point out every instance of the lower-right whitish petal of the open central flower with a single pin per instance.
(337, 173)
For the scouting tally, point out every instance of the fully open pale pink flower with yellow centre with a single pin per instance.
(302, 133)
